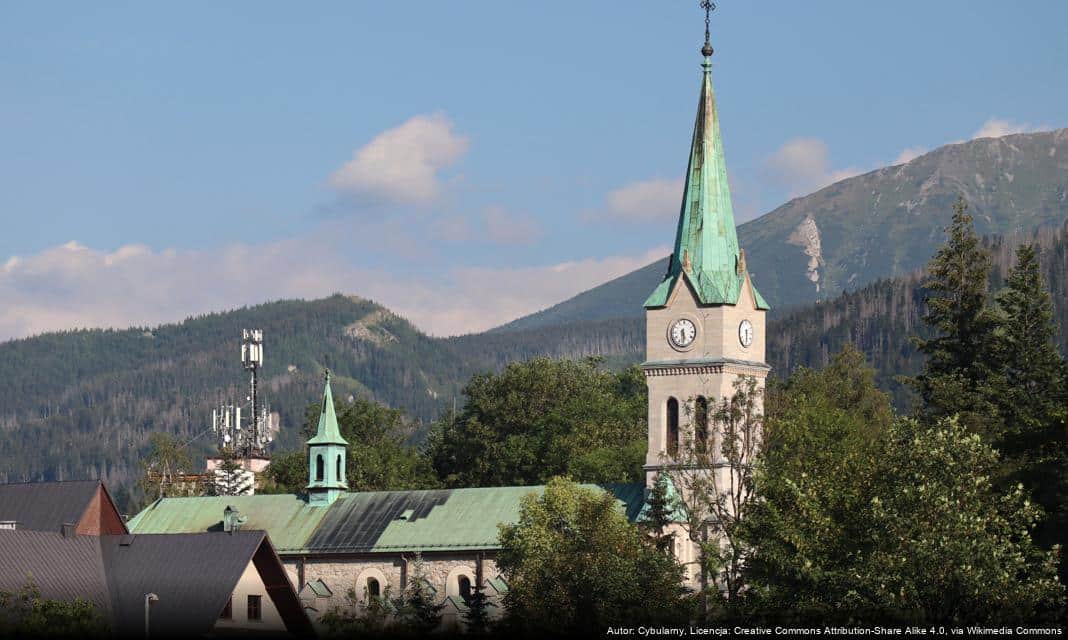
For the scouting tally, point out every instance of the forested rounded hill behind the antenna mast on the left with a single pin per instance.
(83, 403)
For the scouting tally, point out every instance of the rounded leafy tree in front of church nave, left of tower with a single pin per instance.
(575, 564)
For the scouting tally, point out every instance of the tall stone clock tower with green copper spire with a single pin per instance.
(705, 321)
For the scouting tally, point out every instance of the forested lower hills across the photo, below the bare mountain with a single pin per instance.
(82, 404)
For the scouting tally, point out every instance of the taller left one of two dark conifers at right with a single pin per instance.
(960, 374)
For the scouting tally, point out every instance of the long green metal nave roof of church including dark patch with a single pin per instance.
(372, 522)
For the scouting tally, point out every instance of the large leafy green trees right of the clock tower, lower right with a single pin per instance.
(898, 523)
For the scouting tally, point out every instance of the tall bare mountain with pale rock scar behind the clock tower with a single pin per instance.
(881, 225)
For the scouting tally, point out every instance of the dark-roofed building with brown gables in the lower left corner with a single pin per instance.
(187, 585)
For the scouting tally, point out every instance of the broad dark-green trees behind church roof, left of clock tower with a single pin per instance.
(545, 418)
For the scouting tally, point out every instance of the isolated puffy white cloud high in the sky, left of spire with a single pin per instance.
(403, 165)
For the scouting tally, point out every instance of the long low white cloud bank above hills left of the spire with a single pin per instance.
(75, 287)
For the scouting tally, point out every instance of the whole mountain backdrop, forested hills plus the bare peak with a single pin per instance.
(82, 404)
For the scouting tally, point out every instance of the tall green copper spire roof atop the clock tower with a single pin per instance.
(706, 244)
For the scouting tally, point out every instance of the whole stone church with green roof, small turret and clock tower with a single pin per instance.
(704, 332)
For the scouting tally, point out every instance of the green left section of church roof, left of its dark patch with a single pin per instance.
(287, 519)
